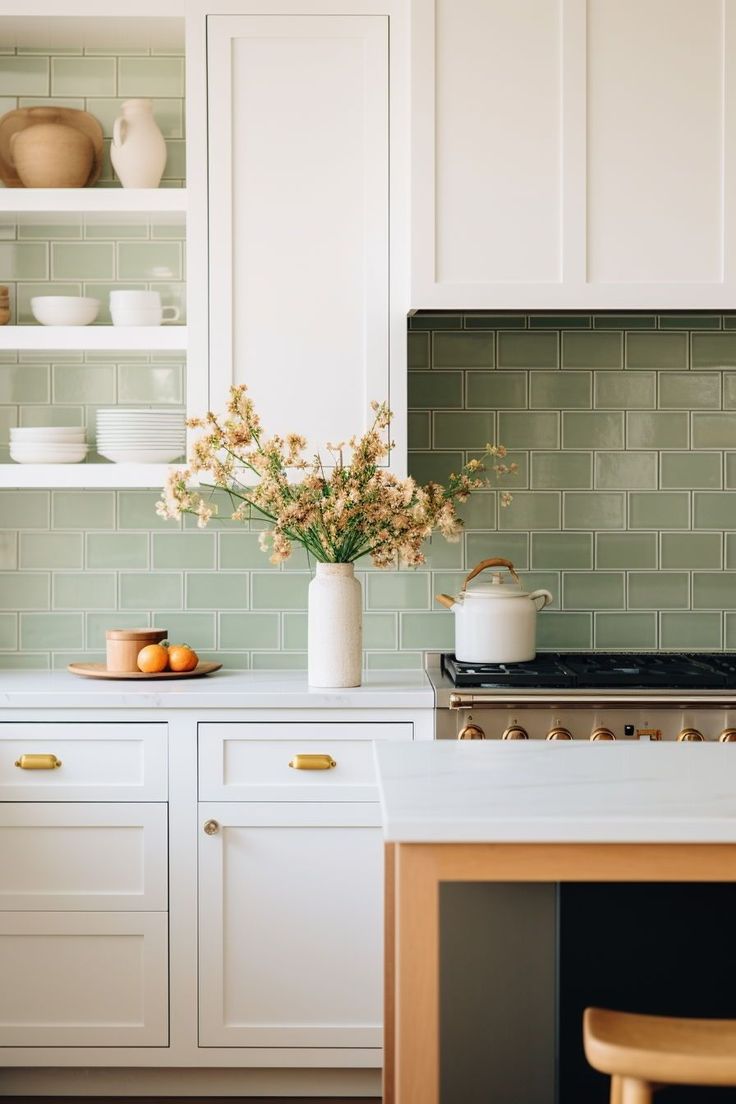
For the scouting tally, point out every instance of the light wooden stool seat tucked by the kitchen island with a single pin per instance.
(658, 1050)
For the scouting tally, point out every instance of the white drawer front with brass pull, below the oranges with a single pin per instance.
(99, 762)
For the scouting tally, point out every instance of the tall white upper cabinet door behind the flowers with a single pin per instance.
(301, 301)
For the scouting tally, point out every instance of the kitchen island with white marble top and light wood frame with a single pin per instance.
(551, 813)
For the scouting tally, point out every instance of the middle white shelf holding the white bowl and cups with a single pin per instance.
(125, 338)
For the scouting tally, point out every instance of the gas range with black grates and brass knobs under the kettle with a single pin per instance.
(589, 696)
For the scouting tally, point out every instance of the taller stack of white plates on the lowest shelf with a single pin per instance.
(141, 437)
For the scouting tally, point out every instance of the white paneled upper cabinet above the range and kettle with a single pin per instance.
(573, 154)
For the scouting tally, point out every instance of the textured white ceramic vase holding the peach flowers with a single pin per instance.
(335, 627)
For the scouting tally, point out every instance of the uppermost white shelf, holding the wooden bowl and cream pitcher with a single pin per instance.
(92, 200)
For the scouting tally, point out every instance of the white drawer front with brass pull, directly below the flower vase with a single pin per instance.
(252, 761)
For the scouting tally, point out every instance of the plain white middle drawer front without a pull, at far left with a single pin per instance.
(63, 856)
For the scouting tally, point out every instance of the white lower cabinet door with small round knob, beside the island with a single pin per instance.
(291, 926)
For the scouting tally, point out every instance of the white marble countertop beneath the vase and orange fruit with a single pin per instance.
(226, 689)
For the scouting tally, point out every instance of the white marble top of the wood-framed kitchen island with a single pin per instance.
(538, 792)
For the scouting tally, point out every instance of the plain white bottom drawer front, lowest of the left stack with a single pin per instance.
(83, 980)
